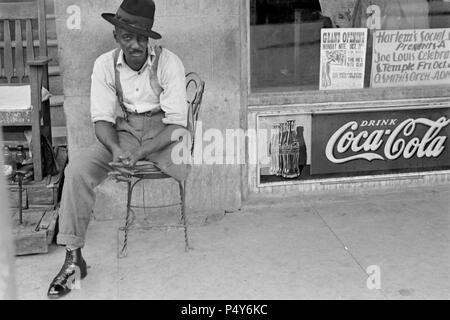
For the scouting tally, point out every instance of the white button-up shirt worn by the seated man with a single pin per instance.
(138, 95)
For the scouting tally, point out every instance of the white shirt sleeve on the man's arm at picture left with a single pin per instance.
(103, 96)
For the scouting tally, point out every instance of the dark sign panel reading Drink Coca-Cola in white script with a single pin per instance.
(372, 141)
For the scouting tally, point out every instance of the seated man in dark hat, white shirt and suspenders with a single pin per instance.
(139, 111)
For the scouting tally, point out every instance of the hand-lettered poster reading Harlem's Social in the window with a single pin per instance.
(410, 58)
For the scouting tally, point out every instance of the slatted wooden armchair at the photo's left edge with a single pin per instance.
(24, 73)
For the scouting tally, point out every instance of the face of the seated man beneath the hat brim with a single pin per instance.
(134, 46)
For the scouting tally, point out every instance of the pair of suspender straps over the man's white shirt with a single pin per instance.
(154, 83)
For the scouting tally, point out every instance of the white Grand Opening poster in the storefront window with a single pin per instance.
(342, 58)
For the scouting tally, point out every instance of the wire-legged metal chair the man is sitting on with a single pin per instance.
(145, 170)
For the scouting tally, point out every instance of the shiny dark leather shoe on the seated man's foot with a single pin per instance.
(73, 269)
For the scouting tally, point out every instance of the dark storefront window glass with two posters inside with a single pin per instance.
(299, 45)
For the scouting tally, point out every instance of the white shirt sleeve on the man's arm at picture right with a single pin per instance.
(173, 99)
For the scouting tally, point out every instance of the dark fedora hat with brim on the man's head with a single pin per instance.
(135, 16)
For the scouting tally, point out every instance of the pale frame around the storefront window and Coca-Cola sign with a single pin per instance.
(255, 103)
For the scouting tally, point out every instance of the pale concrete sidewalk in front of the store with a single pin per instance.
(304, 247)
